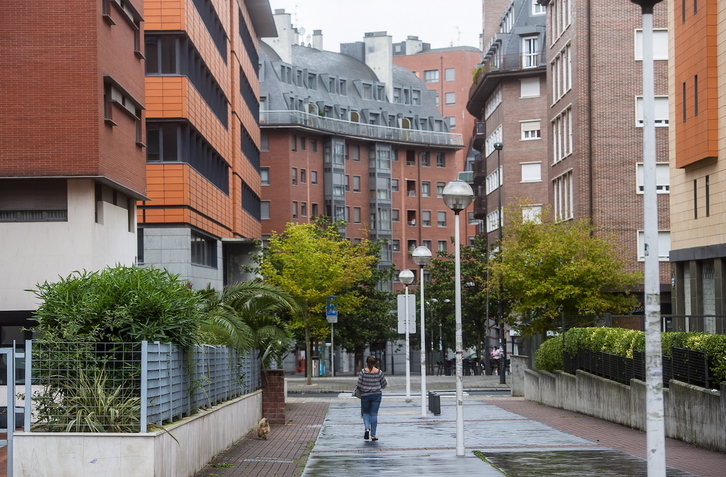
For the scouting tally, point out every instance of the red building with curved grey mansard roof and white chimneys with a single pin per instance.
(353, 136)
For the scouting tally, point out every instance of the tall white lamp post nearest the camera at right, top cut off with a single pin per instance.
(653, 360)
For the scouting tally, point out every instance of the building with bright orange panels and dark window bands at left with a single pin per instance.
(202, 158)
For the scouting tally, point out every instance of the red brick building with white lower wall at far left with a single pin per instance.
(72, 144)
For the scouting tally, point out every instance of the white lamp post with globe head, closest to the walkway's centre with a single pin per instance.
(457, 196)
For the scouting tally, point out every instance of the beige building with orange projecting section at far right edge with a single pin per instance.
(697, 149)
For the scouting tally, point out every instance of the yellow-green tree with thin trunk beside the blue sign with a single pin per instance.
(312, 262)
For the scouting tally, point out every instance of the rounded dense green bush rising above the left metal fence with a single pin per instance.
(119, 303)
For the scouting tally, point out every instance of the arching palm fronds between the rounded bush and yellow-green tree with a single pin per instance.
(246, 316)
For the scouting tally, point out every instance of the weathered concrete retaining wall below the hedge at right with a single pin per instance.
(692, 414)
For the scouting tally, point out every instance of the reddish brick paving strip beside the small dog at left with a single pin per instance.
(283, 454)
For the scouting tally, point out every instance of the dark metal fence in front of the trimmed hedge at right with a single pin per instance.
(683, 365)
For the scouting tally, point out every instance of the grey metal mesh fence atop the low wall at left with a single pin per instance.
(124, 387)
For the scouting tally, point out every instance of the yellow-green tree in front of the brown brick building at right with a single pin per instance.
(547, 268)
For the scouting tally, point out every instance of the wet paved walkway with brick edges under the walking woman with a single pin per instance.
(323, 437)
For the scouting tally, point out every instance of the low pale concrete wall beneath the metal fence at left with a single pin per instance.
(180, 450)
